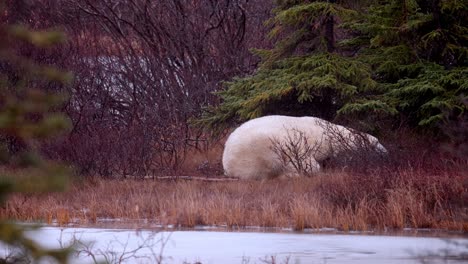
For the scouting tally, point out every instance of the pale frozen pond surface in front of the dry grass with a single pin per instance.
(252, 247)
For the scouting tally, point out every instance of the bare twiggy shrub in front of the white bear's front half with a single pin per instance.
(338, 147)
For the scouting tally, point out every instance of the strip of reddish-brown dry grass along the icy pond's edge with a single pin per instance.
(383, 200)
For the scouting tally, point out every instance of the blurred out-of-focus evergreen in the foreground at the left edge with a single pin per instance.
(26, 116)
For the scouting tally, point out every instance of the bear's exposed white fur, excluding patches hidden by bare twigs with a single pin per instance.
(249, 153)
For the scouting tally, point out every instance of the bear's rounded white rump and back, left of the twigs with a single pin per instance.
(248, 150)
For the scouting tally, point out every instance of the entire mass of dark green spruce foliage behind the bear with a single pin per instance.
(398, 61)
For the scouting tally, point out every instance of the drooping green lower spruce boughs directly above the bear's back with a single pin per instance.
(302, 85)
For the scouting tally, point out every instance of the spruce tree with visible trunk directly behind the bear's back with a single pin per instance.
(306, 73)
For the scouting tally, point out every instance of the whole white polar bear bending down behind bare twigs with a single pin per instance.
(257, 149)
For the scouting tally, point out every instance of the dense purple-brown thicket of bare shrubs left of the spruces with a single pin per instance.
(143, 70)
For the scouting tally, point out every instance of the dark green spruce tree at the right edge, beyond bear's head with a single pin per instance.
(418, 54)
